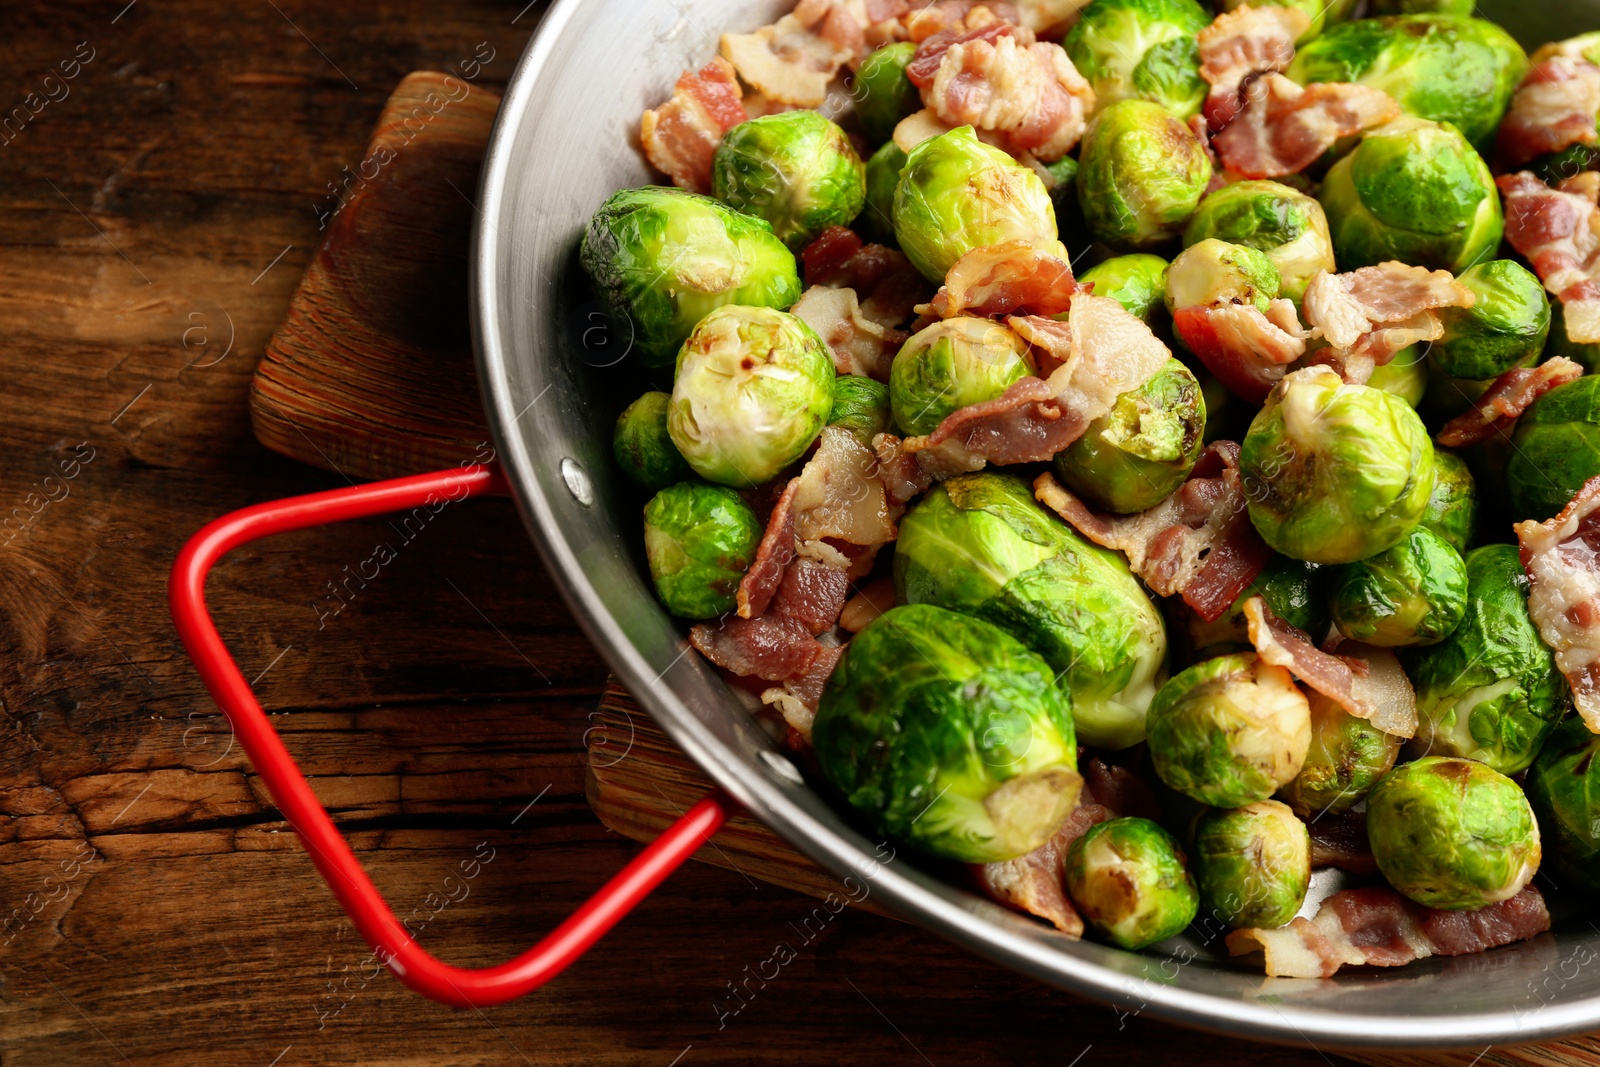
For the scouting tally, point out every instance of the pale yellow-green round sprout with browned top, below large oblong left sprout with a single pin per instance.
(753, 391)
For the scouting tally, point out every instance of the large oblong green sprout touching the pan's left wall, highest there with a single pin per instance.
(665, 258)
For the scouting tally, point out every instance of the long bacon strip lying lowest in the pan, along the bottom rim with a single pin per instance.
(1382, 929)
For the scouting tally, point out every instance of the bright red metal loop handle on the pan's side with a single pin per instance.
(391, 941)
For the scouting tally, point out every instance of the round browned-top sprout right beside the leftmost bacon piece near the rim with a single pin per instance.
(796, 169)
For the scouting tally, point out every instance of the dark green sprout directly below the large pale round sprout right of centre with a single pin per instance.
(1412, 594)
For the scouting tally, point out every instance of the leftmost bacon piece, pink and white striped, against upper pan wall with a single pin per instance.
(682, 135)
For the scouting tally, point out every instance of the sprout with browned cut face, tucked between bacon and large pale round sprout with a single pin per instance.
(1135, 455)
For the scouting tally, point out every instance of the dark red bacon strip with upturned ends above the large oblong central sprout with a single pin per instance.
(1198, 543)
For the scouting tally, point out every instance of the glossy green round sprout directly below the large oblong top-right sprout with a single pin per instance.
(1417, 193)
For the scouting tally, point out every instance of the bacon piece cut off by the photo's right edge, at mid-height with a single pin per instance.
(1564, 596)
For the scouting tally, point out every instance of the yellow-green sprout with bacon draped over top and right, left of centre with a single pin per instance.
(953, 364)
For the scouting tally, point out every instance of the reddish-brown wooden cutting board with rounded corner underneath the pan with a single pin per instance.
(372, 377)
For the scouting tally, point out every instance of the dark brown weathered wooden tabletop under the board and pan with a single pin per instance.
(156, 218)
